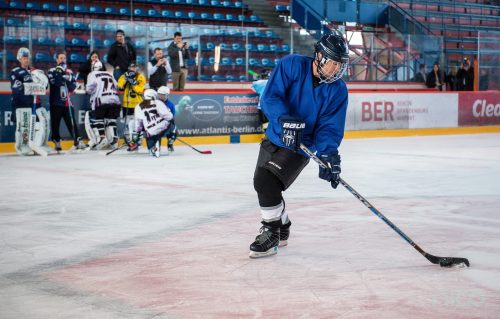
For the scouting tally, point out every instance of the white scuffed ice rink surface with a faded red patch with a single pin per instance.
(132, 236)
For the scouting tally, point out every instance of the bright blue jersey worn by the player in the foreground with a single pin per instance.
(290, 94)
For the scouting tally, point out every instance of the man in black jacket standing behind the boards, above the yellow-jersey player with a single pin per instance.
(121, 55)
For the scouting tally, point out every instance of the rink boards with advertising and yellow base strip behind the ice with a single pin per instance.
(232, 117)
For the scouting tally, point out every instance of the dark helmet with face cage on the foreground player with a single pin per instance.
(332, 46)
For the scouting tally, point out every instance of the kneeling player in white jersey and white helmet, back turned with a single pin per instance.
(153, 118)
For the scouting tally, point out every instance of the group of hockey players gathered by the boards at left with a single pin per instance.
(146, 113)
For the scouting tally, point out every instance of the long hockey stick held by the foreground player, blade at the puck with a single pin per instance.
(442, 261)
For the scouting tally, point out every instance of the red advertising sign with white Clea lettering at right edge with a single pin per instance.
(479, 108)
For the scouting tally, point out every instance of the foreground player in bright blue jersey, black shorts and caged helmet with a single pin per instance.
(305, 101)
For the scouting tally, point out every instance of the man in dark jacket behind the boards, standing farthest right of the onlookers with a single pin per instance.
(178, 51)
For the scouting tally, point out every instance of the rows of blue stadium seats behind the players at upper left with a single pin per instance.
(69, 25)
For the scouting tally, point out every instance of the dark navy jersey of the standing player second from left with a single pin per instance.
(61, 84)
